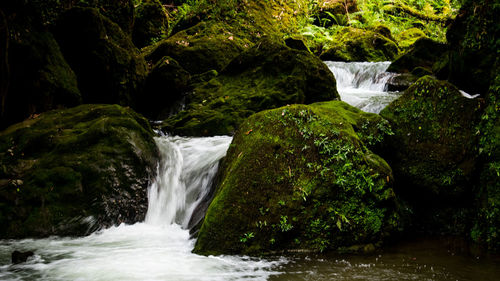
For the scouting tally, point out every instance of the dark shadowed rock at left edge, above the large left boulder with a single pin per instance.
(40, 78)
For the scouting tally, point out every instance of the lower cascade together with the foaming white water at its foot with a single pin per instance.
(157, 249)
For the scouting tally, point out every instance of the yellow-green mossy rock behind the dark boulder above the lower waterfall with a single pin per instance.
(203, 47)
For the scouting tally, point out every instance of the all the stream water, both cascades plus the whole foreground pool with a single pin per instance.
(160, 247)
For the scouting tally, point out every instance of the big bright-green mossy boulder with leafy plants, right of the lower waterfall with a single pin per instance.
(302, 177)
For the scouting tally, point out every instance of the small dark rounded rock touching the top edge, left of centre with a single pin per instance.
(151, 23)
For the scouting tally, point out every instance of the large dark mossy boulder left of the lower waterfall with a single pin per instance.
(67, 172)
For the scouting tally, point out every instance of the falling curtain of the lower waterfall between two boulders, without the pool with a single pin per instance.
(184, 178)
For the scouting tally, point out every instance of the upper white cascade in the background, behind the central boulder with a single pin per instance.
(363, 84)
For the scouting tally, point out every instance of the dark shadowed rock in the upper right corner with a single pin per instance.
(474, 42)
